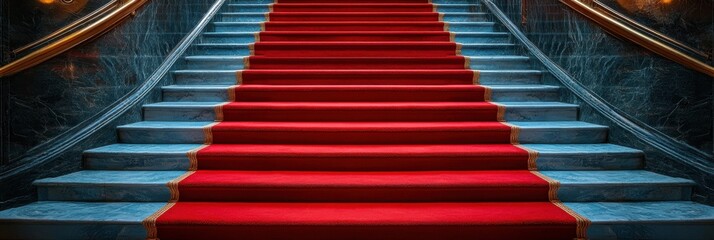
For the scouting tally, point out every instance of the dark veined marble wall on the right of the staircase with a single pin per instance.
(649, 88)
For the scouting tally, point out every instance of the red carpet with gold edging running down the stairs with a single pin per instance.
(360, 121)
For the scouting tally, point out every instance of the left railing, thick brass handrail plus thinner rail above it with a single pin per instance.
(95, 24)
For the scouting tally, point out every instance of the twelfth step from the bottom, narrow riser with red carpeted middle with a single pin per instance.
(250, 17)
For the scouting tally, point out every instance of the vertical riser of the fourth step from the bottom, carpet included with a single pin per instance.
(196, 136)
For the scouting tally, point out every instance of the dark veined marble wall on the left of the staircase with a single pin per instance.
(63, 93)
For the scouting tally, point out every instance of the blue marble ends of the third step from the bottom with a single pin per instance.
(142, 157)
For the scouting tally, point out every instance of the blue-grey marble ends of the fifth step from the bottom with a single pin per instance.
(205, 111)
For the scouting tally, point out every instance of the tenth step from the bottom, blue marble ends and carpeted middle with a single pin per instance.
(385, 36)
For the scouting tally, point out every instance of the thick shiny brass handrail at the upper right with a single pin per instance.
(616, 27)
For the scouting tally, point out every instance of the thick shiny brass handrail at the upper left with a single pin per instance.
(70, 41)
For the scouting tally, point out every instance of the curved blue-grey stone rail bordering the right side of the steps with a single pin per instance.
(650, 136)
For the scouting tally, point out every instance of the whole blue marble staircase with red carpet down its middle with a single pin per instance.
(373, 119)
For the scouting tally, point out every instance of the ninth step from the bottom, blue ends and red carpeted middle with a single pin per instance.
(371, 50)
